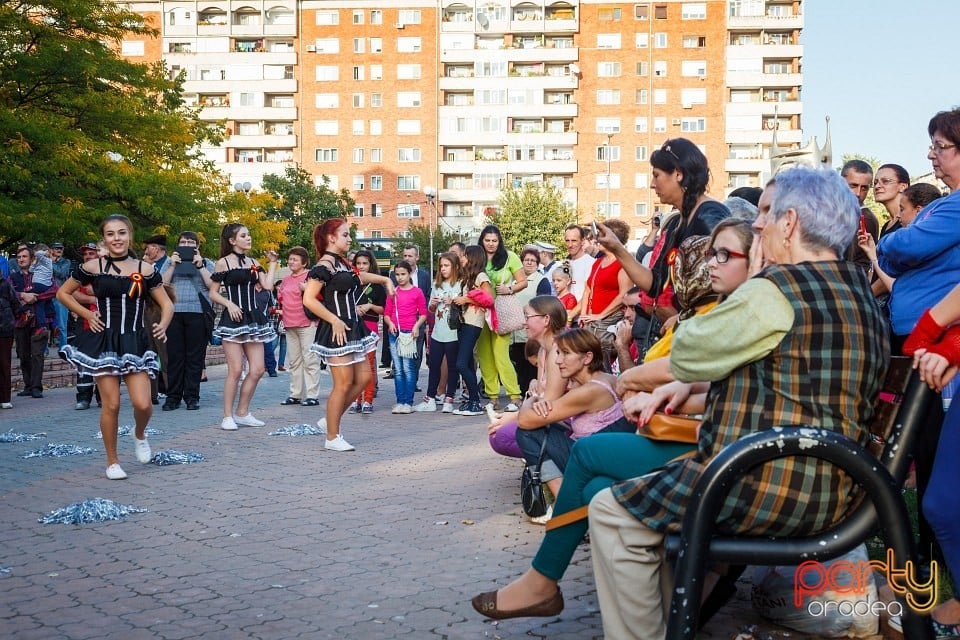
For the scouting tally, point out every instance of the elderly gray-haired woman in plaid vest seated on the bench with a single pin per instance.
(801, 343)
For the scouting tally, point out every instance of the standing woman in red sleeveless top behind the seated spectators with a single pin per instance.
(603, 295)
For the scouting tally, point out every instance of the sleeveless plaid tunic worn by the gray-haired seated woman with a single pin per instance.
(826, 372)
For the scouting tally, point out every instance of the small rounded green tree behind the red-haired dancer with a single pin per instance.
(302, 204)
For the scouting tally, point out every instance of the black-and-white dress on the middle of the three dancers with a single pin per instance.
(240, 287)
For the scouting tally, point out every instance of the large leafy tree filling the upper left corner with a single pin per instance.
(85, 133)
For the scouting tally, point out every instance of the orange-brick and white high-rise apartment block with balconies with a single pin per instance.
(391, 98)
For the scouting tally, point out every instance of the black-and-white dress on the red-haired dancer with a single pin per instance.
(341, 290)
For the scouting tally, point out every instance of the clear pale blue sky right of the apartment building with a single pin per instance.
(880, 69)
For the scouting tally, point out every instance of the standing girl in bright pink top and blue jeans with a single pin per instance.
(404, 313)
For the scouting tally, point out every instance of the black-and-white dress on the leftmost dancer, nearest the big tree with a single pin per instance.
(123, 346)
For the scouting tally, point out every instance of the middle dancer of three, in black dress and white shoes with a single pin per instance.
(244, 327)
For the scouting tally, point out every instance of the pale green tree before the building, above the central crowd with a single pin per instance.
(531, 213)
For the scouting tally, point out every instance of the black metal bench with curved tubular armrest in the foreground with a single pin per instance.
(879, 473)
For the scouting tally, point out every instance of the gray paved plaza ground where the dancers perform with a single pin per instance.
(272, 537)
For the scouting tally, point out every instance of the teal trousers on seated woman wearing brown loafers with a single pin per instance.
(596, 462)
